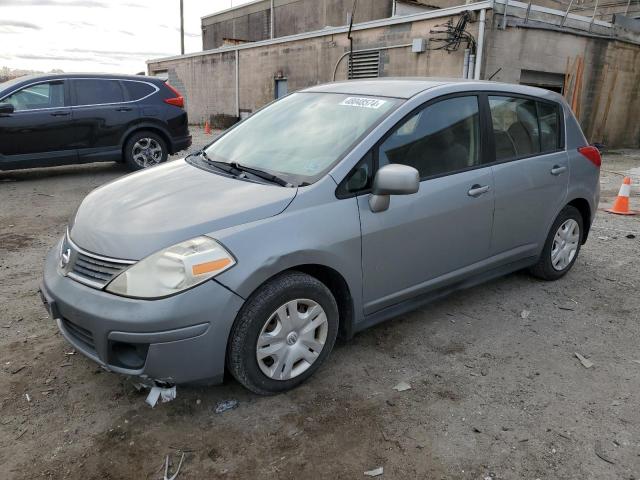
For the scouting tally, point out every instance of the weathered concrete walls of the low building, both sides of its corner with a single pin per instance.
(609, 101)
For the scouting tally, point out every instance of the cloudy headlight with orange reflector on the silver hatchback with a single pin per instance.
(173, 269)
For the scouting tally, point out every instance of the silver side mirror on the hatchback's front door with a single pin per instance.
(393, 179)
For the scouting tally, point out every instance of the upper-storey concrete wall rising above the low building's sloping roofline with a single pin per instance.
(252, 23)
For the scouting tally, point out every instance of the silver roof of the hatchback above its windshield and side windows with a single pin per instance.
(407, 87)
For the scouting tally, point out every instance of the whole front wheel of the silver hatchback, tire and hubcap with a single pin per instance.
(282, 334)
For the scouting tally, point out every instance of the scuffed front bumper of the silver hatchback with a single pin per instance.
(179, 339)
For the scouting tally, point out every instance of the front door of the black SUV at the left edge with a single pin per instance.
(39, 131)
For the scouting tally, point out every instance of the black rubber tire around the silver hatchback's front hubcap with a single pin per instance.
(241, 350)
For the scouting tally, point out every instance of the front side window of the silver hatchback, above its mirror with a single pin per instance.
(442, 138)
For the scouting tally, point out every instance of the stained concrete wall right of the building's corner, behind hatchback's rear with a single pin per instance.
(610, 98)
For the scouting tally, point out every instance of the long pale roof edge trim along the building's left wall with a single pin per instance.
(442, 12)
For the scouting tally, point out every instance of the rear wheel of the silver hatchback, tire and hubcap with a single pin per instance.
(562, 246)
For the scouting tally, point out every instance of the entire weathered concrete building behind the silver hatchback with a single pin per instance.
(247, 61)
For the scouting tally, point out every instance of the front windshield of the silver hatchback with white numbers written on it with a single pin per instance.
(300, 137)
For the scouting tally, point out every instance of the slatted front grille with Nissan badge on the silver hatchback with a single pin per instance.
(91, 269)
